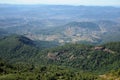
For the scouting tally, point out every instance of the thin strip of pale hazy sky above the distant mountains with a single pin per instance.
(68, 2)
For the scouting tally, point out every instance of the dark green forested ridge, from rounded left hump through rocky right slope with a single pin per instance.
(85, 57)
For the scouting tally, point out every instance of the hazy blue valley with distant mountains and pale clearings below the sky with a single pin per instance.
(61, 23)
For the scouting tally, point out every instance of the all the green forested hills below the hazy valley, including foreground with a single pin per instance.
(22, 59)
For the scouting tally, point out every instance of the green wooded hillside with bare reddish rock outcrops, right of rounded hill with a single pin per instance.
(84, 57)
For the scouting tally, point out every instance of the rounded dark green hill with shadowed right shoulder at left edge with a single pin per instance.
(15, 48)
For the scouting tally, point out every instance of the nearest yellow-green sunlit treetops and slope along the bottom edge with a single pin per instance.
(50, 72)
